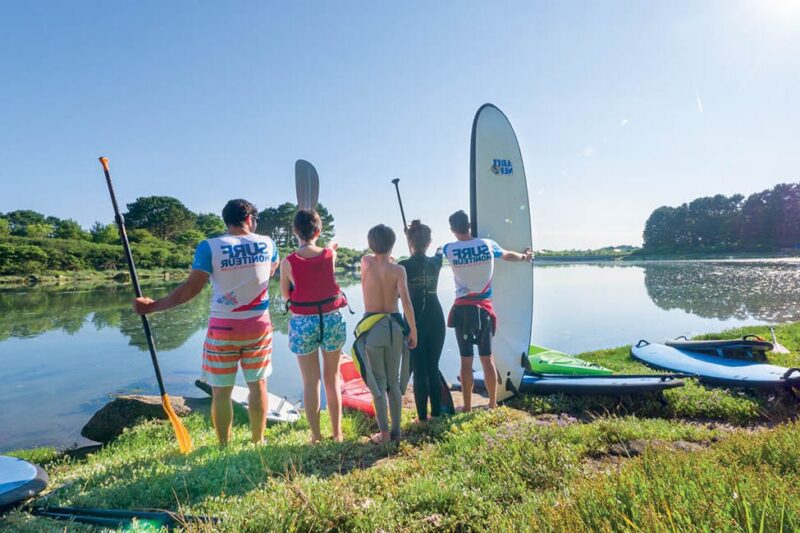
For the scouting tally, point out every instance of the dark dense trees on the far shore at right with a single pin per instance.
(764, 221)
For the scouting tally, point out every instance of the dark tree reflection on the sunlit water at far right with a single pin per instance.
(765, 291)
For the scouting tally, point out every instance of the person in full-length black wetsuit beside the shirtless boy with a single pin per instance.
(423, 278)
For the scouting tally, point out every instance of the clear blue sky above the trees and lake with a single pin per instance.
(620, 107)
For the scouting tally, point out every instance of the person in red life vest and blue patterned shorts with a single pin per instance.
(309, 286)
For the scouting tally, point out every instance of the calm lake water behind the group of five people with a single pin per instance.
(65, 353)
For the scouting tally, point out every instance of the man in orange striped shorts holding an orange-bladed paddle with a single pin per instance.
(239, 265)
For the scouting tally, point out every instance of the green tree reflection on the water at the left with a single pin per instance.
(30, 313)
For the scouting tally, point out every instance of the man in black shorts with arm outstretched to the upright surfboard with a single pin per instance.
(472, 316)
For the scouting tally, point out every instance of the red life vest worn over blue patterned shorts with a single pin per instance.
(315, 288)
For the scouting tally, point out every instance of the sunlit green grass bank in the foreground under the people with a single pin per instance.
(696, 458)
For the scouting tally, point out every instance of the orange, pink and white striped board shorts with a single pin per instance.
(234, 342)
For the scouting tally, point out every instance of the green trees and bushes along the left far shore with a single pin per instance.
(164, 233)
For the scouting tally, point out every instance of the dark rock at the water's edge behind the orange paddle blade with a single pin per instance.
(126, 411)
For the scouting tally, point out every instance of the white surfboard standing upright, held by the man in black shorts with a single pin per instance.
(500, 210)
